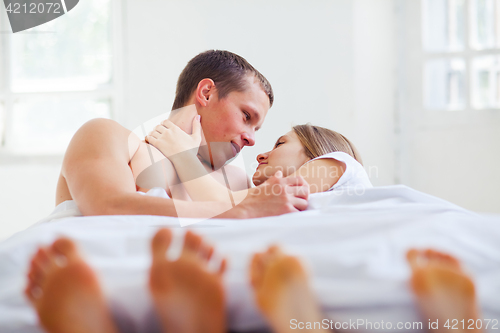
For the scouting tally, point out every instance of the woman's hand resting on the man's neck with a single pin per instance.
(171, 140)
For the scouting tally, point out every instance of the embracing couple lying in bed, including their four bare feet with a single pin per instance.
(222, 101)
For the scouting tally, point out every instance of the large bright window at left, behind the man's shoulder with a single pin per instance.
(57, 76)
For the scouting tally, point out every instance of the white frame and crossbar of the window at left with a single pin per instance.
(114, 92)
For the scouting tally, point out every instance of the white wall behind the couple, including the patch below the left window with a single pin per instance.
(330, 63)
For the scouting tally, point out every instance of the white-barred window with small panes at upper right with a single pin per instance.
(461, 45)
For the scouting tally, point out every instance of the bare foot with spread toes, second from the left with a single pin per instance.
(188, 297)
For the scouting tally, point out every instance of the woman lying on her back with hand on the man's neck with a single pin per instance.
(324, 158)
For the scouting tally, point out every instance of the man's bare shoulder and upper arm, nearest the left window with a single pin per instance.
(96, 166)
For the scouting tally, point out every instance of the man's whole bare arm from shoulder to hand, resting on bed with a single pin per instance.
(101, 183)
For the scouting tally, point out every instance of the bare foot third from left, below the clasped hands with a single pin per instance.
(282, 291)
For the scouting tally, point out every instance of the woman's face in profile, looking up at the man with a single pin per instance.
(288, 155)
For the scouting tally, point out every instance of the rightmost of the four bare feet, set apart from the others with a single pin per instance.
(443, 291)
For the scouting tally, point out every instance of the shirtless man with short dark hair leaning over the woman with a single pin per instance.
(103, 160)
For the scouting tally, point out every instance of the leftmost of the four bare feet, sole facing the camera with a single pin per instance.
(65, 291)
